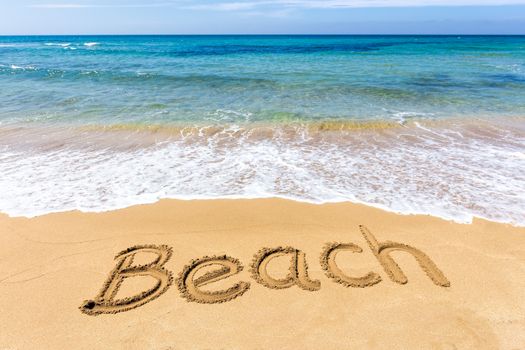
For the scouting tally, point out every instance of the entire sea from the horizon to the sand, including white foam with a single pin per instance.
(413, 124)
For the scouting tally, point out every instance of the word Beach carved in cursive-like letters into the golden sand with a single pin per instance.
(210, 269)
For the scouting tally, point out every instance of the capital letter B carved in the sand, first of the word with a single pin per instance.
(105, 302)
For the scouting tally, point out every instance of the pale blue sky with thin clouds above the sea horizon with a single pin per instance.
(262, 17)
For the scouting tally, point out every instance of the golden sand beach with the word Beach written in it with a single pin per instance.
(216, 279)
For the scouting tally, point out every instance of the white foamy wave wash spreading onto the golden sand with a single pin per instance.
(412, 171)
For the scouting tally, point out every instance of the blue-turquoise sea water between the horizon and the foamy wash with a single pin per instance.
(298, 77)
